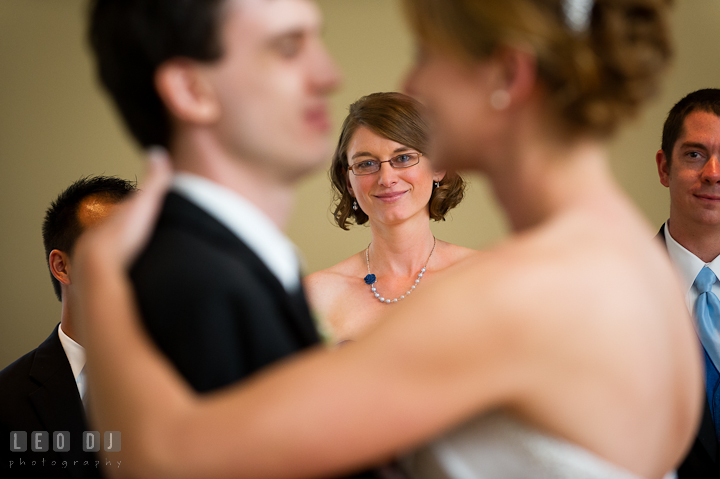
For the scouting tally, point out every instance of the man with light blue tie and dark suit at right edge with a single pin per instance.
(689, 166)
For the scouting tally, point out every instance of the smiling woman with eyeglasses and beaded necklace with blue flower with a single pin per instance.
(381, 177)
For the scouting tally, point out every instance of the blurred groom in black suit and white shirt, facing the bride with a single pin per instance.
(237, 92)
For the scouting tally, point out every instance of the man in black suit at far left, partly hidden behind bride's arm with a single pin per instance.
(44, 389)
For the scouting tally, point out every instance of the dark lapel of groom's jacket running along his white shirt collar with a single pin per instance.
(179, 211)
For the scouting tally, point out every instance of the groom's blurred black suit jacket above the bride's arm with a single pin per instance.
(211, 304)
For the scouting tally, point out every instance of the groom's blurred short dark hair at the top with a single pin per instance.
(132, 38)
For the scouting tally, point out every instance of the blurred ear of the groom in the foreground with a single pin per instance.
(186, 91)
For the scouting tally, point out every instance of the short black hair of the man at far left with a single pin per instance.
(61, 227)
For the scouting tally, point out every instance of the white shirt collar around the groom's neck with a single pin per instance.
(247, 222)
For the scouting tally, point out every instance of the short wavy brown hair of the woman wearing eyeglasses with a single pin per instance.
(399, 118)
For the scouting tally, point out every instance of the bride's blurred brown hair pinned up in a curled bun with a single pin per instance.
(596, 73)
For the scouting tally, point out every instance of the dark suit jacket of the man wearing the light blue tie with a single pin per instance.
(702, 460)
